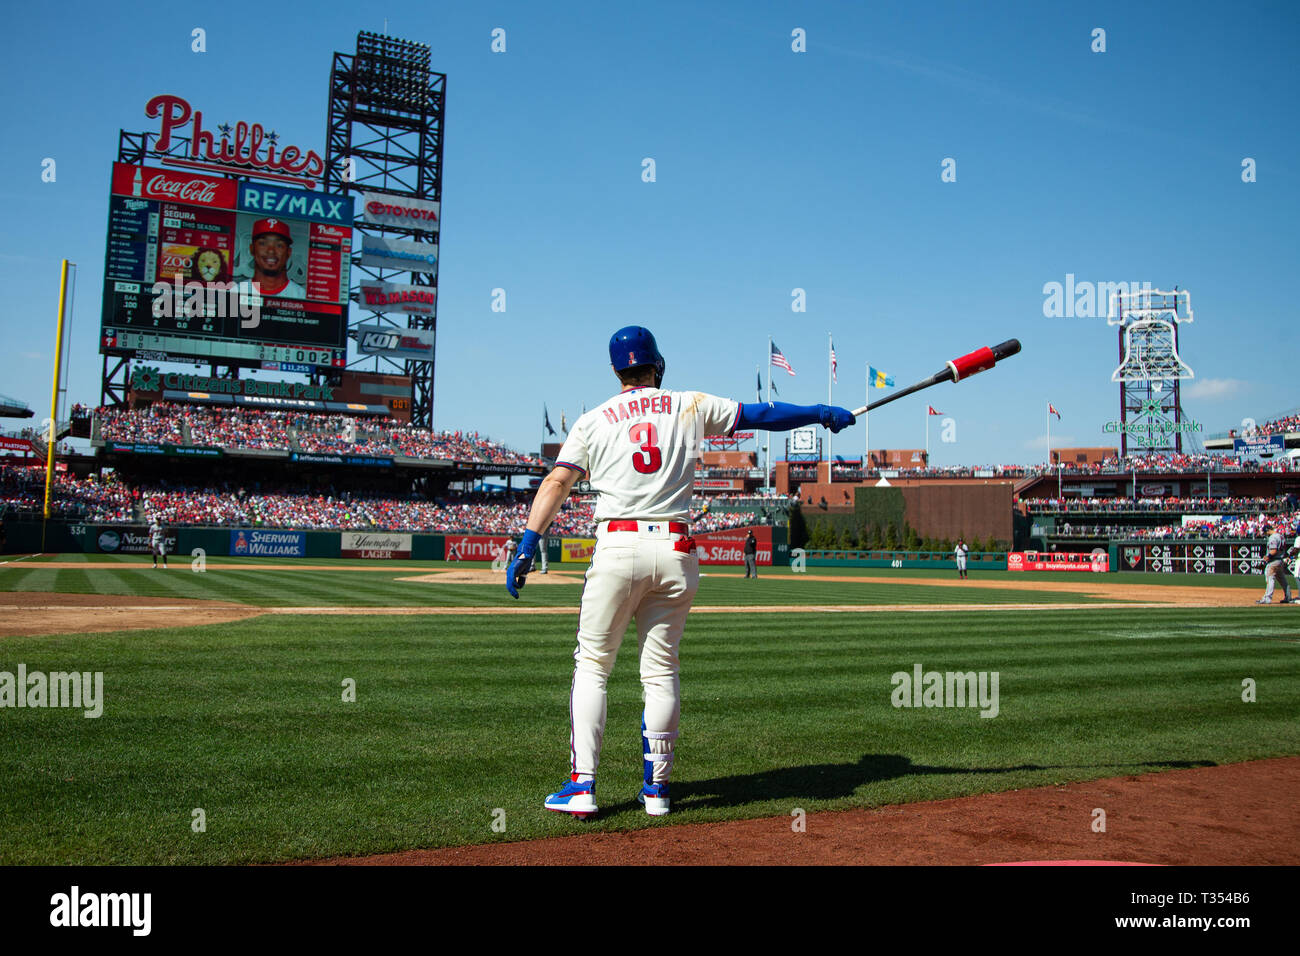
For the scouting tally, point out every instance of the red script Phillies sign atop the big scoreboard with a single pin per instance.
(242, 149)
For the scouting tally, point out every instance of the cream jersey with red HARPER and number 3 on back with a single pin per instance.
(640, 451)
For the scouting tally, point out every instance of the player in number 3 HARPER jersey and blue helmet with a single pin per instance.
(639, 452)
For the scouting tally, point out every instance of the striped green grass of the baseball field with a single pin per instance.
(461, 721)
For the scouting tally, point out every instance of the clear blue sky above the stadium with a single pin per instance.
(775, 171)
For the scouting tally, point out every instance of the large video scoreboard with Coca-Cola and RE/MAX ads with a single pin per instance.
(179, 278)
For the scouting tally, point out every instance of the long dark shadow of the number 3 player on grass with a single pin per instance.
(834, 781)
